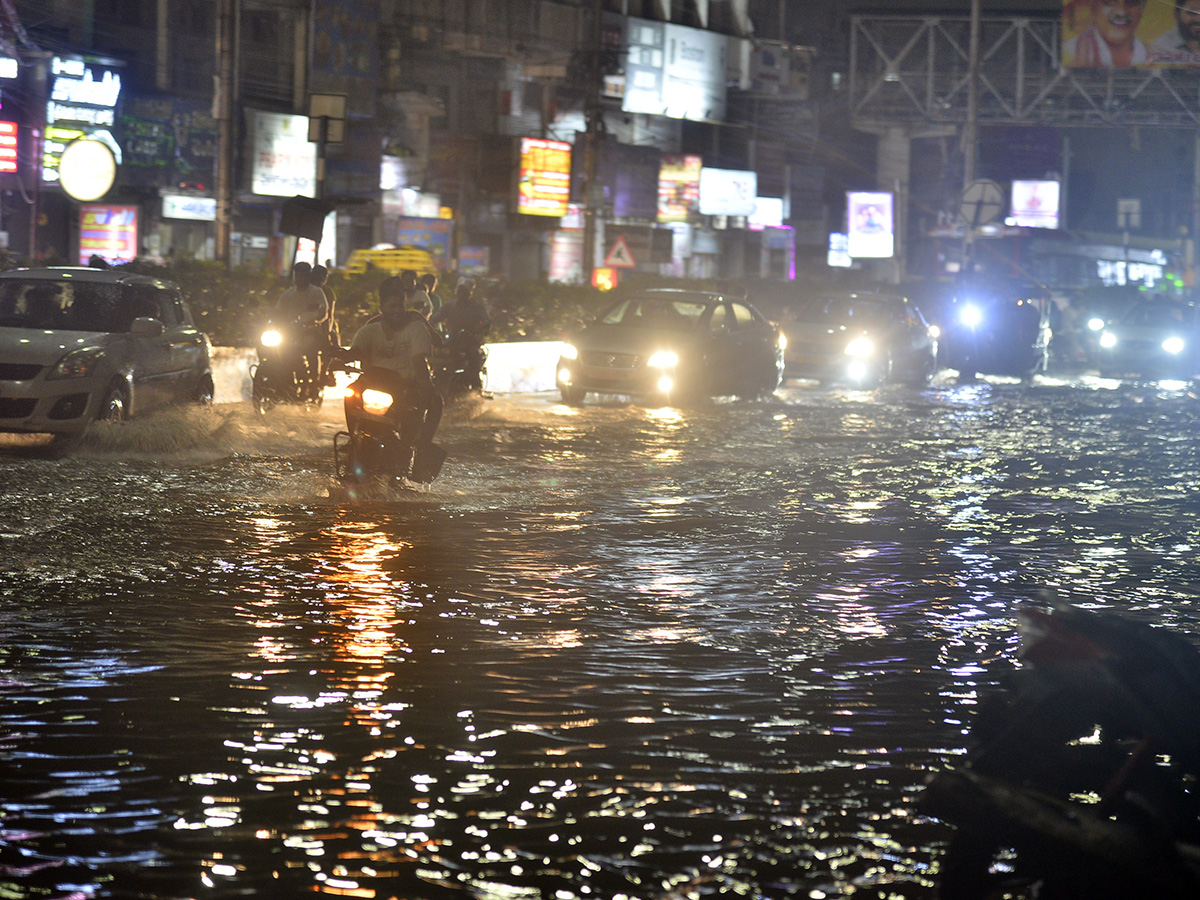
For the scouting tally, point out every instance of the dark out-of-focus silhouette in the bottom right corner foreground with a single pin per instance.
(1081, 782)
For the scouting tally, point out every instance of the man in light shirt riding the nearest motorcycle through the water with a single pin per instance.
(397, 351)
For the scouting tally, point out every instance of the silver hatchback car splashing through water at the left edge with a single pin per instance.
(80, 345)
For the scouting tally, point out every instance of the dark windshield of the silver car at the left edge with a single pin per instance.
(59, 305)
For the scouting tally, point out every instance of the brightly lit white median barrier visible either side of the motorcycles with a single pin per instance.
(519, 368)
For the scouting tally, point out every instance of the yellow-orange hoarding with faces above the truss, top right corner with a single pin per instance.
(1131, 34)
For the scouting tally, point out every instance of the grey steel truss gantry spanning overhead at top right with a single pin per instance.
(915, 71)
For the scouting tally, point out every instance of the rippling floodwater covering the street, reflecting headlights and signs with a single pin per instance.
(615, 652)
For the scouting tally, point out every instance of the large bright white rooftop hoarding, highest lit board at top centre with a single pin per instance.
(675, 71)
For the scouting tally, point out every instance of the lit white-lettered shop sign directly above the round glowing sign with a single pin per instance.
(83, 104)
